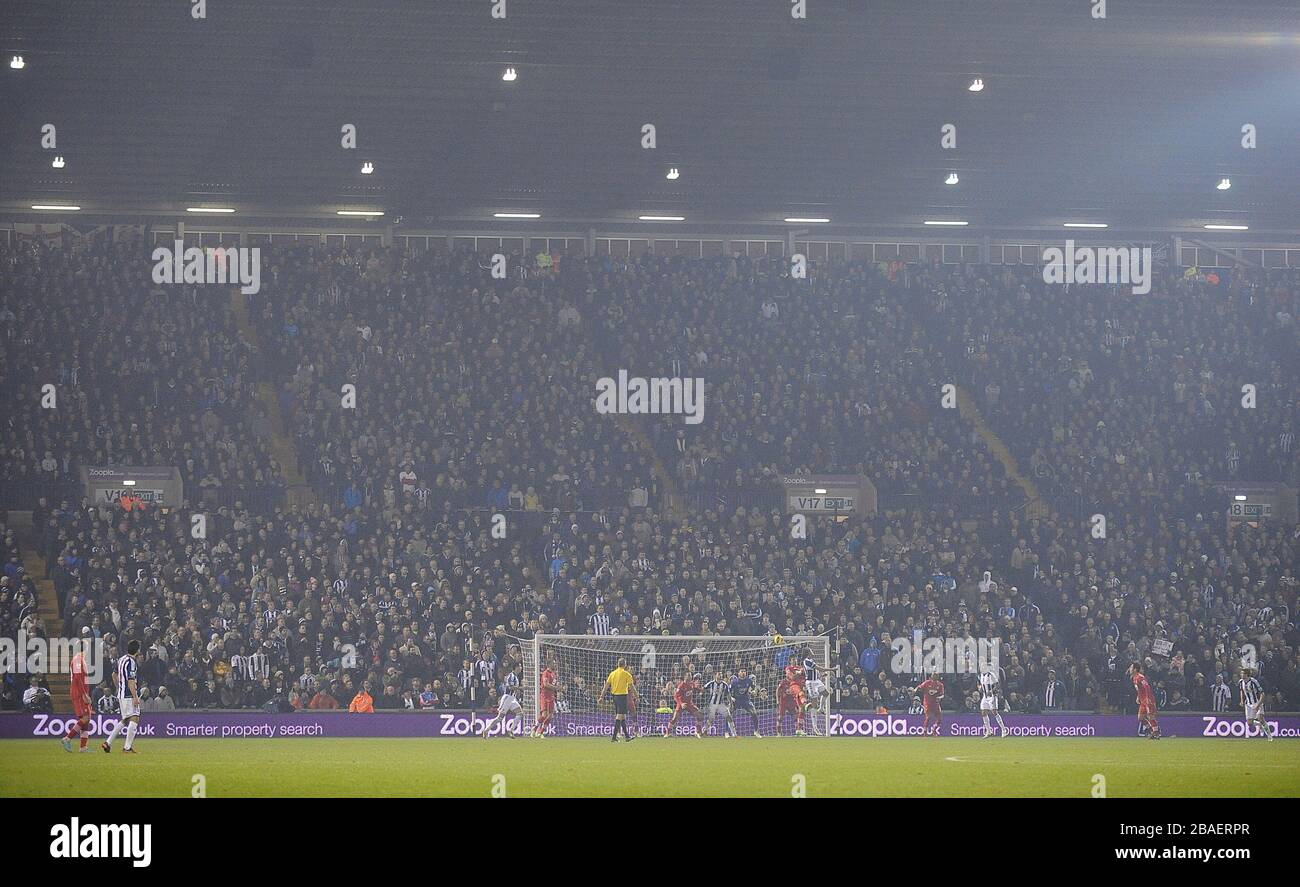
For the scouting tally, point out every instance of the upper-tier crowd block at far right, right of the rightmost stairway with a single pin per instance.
(1136, 404)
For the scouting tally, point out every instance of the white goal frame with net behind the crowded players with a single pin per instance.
(583, 663)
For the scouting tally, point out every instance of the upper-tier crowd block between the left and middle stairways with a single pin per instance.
(469, 390)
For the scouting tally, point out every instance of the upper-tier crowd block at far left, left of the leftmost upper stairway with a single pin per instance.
(141, 375)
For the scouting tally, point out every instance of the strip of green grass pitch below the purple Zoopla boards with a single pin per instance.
(765, 768)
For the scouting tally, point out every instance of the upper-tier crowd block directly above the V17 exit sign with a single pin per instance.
(825, 375)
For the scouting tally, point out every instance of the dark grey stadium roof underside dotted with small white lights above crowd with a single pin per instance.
(1129, 120)
